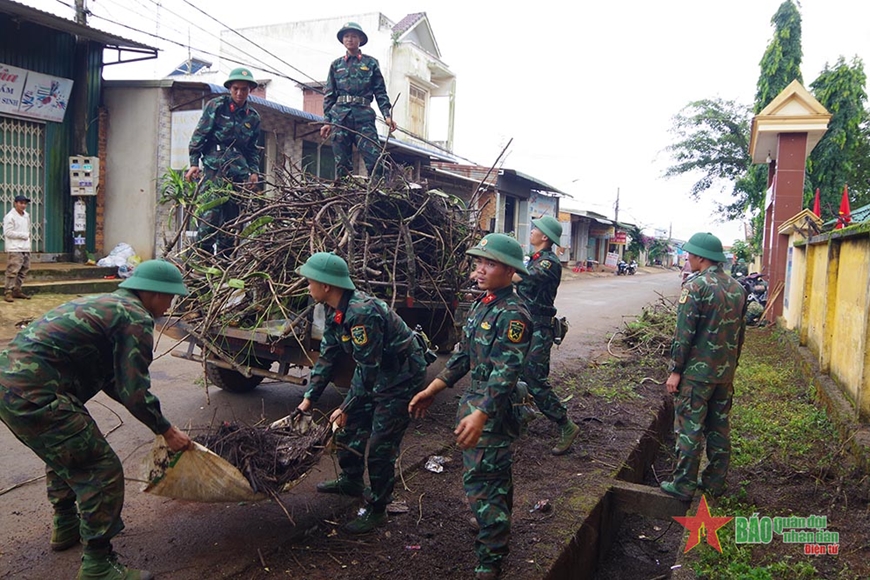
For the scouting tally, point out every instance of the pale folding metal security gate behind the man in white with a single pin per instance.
(22, 171)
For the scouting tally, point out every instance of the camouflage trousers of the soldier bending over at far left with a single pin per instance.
(80, 466)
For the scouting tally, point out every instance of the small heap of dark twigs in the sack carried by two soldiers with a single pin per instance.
(268, 458)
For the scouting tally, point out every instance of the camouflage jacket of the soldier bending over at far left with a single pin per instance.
(91, 344)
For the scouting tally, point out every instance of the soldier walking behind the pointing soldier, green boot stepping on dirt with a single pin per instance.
(538, 290)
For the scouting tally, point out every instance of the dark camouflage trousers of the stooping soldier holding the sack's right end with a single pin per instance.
(379, 422)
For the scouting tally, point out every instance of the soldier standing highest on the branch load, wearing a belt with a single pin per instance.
(354, 81)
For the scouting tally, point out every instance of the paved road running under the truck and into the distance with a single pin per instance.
(191, 541)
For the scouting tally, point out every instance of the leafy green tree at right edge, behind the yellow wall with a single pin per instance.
(841, 156)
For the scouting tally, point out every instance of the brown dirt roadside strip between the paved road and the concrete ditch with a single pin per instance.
(434, 538)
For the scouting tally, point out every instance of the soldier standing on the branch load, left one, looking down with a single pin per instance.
(226, 139)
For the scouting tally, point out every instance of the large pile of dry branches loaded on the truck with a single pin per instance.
(402, 243)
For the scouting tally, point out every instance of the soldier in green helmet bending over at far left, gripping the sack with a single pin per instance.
(47, 374)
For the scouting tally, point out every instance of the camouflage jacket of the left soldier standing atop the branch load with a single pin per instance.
(226, 139)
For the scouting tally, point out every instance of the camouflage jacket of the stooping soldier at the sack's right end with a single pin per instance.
(387, 353)
